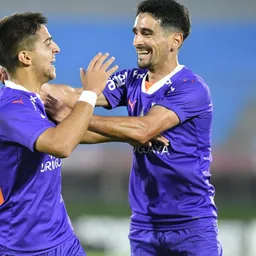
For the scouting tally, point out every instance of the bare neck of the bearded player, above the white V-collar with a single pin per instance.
(161, 71)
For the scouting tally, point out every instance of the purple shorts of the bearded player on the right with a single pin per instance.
(200, 240)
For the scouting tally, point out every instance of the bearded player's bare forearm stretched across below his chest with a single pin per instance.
(124, 128)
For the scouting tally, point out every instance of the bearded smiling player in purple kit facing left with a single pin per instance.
(170, 194)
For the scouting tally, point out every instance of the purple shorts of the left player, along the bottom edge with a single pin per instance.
(71, 247)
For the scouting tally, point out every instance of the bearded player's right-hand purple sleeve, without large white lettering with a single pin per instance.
(187, 99)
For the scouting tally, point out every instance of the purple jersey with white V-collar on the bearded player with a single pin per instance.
(169, 185)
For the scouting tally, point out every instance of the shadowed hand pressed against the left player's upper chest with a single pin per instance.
(56, 109)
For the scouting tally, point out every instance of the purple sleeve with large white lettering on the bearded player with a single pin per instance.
(116, 90)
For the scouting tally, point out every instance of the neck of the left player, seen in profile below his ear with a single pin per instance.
(27, 79)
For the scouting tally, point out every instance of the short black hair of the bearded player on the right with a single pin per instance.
(170, 13)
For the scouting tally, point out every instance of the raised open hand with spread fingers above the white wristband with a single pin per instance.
(98, 72)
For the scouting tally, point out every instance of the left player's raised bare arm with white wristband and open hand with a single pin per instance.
(62, 139)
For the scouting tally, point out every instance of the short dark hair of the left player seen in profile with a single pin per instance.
(17, 33)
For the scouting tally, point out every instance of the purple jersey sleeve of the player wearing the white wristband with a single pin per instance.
(22, 124)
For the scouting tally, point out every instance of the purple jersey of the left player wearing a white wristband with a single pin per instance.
(33, 216)
